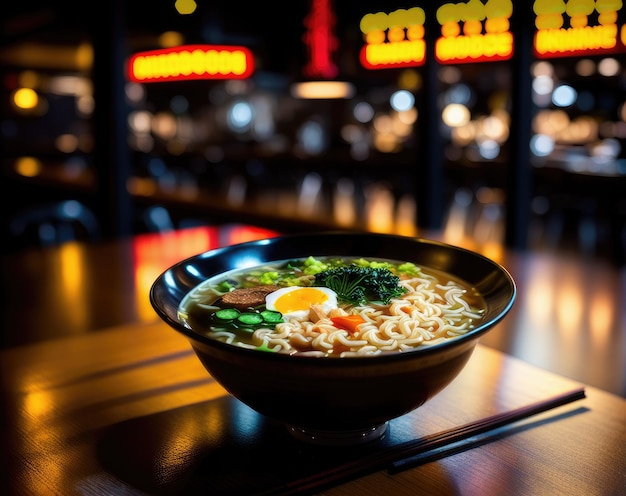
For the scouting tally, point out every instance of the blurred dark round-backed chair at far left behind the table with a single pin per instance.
(53, 224)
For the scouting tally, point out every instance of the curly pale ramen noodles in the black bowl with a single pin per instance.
(429, 312)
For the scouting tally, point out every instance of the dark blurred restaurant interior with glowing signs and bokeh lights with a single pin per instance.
(497, 124)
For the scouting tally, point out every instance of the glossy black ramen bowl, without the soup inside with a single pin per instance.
(335, 400)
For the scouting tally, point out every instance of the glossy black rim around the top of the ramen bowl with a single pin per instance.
(197, 339)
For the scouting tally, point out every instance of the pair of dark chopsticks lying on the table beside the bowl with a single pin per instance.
(402, 455)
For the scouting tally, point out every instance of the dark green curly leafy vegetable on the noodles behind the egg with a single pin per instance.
(359, 285)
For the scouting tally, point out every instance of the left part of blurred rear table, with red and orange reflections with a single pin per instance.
(80, 287)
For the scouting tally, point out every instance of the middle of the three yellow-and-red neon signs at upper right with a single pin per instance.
(474, 32)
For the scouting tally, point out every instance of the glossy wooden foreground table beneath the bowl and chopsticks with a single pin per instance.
(130, 410)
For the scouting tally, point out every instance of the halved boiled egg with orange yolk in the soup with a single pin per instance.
(295, 301)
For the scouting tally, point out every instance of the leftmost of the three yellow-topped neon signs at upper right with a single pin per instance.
(393, 40)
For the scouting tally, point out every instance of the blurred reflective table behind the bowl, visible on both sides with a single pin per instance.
(569, 316)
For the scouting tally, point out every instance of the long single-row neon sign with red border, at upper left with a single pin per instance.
(191, 62)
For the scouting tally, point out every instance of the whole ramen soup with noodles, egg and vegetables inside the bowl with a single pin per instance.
(282, 307)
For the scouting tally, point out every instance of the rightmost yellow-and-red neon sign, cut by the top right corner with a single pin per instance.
(556, 37)
